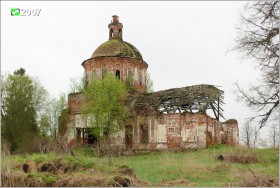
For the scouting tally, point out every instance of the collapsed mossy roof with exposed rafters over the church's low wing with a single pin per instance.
(185, 99)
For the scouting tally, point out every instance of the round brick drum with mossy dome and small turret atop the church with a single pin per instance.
(118, 57)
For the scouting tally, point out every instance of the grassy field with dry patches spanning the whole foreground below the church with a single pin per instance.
(191, 168)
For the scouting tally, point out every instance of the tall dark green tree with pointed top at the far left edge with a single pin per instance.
(22, 99)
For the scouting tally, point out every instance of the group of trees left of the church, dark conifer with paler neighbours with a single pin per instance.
(28, 113)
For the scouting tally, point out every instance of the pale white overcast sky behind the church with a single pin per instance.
(184, 43)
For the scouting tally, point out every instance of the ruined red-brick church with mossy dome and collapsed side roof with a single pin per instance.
(161, 120)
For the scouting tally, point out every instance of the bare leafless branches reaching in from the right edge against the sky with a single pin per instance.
(258, 39)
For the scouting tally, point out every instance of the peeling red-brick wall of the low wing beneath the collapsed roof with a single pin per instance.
(207, 131)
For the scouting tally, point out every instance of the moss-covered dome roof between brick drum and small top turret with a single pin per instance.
(116, 47)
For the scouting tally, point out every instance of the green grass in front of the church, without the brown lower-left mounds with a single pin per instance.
(200, 167)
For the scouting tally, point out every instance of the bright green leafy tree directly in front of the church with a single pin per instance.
(104, 105)
